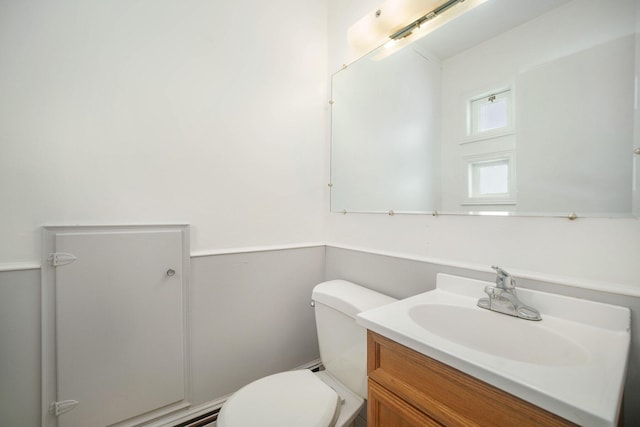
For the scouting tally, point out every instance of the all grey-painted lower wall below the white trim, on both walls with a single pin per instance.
(250, 316)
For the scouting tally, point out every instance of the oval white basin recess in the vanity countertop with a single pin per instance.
(494, 333)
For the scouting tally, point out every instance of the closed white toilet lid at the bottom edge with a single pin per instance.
(294, 398)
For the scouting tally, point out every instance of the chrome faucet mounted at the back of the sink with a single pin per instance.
(504, 299)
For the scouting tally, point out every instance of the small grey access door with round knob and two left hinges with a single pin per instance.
(119, 325)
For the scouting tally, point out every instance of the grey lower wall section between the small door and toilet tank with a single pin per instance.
(250, 316)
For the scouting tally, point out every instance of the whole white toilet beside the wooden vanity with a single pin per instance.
(301, 398)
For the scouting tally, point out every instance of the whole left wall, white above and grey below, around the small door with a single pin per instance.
(145, 111)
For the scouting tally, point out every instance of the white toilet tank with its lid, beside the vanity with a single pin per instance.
(342, 342)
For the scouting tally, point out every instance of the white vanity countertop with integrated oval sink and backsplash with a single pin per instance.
(572, 362)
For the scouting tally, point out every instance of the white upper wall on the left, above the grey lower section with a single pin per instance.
(155, 111)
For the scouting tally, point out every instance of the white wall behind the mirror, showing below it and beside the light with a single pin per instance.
(592, 251)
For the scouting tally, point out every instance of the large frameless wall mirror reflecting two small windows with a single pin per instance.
(515, 107)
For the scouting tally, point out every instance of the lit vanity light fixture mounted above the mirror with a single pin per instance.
(388, 22)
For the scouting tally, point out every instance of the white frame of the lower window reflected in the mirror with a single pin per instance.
(472, 198)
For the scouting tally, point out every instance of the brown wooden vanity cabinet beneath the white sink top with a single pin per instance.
(407, 389)
